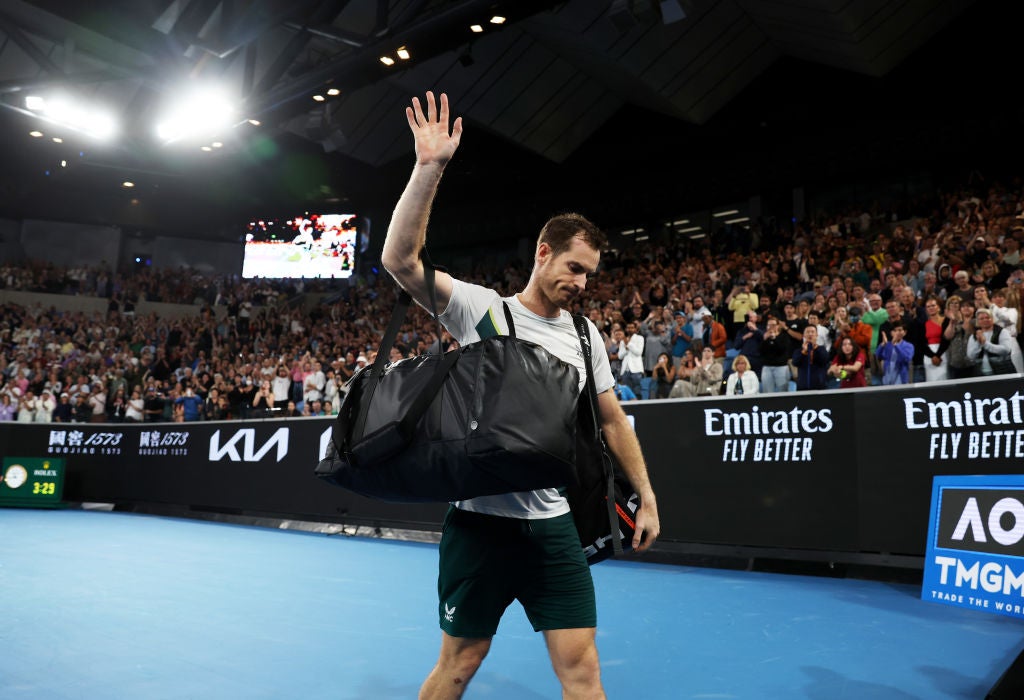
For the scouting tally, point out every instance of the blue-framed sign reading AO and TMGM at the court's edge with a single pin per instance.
(975, 554)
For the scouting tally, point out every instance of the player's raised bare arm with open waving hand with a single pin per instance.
(408, 232)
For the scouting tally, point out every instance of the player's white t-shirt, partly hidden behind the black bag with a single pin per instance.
(476, 314)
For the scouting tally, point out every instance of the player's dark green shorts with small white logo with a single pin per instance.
(487, 562)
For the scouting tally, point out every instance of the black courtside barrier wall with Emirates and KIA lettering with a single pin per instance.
(839, 472)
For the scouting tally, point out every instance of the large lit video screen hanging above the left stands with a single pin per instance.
(311, 246)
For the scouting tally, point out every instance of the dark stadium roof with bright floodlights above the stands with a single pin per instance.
(626, 103)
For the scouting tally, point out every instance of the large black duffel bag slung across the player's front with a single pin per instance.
(494, 417)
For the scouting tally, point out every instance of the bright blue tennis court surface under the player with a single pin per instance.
(107, 605)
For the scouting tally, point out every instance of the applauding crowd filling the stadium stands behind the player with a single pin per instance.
(843, 301)
